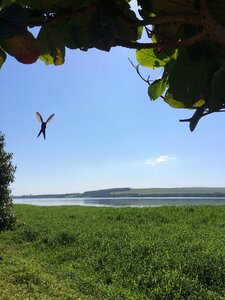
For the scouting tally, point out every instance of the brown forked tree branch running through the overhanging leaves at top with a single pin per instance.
(211, 28)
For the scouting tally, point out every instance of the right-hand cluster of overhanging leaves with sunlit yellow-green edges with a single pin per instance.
(193, 64)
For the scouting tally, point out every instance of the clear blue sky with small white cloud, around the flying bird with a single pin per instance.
(106, 132)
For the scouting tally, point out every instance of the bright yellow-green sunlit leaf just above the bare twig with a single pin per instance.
(147, 58)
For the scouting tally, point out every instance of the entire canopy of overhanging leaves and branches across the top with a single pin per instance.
(185, 38)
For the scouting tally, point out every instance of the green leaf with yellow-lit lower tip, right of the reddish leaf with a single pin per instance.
(52, 45)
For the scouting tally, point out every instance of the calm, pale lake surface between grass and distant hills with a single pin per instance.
(122, 201)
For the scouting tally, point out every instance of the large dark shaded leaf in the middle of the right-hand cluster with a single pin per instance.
(188, 79)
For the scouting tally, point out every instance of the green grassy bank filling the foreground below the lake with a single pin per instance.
(106, 253)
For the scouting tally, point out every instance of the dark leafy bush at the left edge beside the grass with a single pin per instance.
(7, 170)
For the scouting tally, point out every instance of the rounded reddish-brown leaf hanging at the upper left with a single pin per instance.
(24, 47)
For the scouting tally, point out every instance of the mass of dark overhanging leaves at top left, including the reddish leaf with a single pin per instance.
(72, 24)
